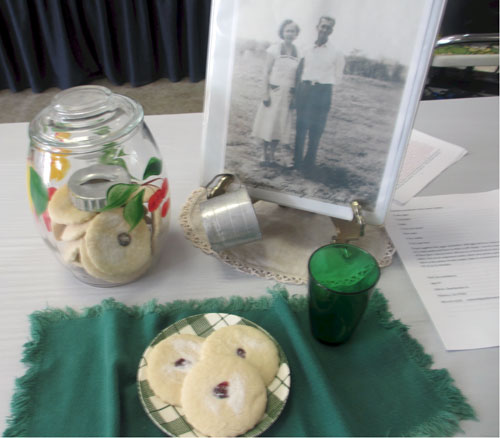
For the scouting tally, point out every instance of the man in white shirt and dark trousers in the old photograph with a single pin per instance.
(320, 70)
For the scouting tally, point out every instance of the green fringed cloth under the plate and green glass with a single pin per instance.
(82, 371)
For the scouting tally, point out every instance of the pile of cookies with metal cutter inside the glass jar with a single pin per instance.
(107, 226)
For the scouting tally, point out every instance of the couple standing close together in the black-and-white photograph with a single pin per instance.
(297, 82)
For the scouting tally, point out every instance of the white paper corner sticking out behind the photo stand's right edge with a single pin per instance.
(425, 159)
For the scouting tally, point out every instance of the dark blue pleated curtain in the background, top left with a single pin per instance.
(64, 43)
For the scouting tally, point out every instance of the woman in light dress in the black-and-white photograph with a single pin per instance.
(273, 122)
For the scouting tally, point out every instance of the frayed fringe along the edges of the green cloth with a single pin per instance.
(442, 423)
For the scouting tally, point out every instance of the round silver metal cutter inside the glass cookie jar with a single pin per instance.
(88, 187)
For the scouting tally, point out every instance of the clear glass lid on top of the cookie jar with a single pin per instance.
(84, 117)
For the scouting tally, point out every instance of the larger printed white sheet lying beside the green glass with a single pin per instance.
(449, 247)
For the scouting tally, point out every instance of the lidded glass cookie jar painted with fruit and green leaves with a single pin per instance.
(97, 185)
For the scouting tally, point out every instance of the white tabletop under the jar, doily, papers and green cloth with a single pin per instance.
(32, 279)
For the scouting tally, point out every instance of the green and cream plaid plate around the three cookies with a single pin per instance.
(170, 419)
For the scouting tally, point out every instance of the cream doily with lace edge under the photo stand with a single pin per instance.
(289, 237)
